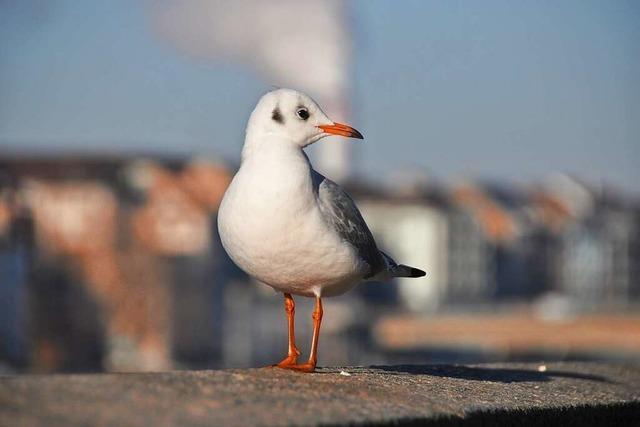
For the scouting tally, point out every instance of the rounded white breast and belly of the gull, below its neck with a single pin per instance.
(271, 226)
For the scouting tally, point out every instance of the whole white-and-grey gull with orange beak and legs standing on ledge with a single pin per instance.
(290, 227)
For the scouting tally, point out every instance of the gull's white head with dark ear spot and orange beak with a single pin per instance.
(290, 117)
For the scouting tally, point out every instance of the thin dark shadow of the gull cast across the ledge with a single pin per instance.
(476, 373)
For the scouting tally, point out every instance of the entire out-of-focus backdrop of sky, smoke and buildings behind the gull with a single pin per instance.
(502, 155)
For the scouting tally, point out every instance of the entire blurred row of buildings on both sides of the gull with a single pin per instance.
(115, 263)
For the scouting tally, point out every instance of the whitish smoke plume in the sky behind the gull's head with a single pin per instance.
(299, 44)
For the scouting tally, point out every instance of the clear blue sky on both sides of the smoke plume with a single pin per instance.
(492, 89)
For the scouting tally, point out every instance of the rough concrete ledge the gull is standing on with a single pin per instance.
(566, 394)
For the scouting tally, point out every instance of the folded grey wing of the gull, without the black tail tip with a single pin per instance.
(339, 210)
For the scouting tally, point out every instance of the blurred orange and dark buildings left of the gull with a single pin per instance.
(110, 263)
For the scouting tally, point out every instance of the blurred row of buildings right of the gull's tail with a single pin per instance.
(483, 243)
